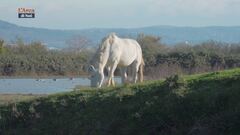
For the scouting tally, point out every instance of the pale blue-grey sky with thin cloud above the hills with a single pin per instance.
(82, 14)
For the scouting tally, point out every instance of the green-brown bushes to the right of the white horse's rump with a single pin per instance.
(163, 61)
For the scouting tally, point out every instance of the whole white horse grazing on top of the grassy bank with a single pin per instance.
(113, 52)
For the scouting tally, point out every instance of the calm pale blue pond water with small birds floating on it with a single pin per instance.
(40, 86)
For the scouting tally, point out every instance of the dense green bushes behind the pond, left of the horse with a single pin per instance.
(36, 59)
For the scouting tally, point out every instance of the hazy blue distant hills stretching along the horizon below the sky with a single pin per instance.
(169, 34)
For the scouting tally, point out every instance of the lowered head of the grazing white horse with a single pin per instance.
(95, 77)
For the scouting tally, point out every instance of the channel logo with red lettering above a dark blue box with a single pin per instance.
(26, 13)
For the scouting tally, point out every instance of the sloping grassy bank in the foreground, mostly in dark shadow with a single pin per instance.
(203, 104)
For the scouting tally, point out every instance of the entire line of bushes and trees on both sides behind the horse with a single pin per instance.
(161, 60)
